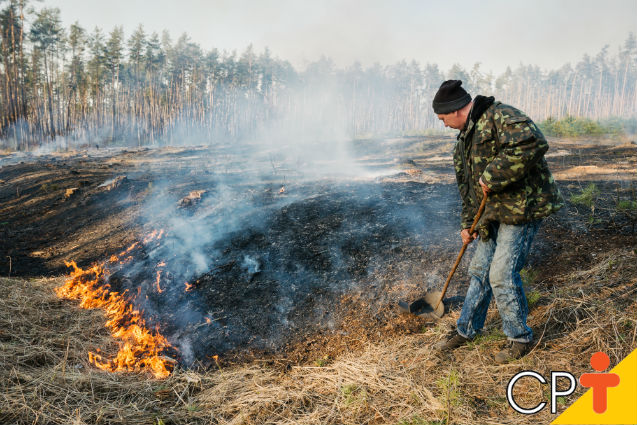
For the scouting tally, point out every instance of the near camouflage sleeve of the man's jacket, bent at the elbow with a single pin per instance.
(521, 145)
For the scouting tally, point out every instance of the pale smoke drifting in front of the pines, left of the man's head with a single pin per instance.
(320, 104)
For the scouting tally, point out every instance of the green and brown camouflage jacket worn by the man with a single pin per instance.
(503, 146)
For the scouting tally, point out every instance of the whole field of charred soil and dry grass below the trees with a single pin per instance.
(274, 276)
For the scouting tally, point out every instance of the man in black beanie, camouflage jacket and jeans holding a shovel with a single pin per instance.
(499, 154)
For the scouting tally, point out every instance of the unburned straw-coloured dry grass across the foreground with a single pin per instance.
(45, 377)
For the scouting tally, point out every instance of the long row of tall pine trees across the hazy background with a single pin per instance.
(102, 88)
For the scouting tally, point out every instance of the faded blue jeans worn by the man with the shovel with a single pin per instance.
(495, 270)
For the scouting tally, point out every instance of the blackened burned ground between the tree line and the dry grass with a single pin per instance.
(295, 266)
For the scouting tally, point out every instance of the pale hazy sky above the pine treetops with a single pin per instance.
(496, 33)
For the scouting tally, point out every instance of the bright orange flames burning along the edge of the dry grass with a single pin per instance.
(141, 348)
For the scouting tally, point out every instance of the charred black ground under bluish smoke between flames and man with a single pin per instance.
(276, 269)
